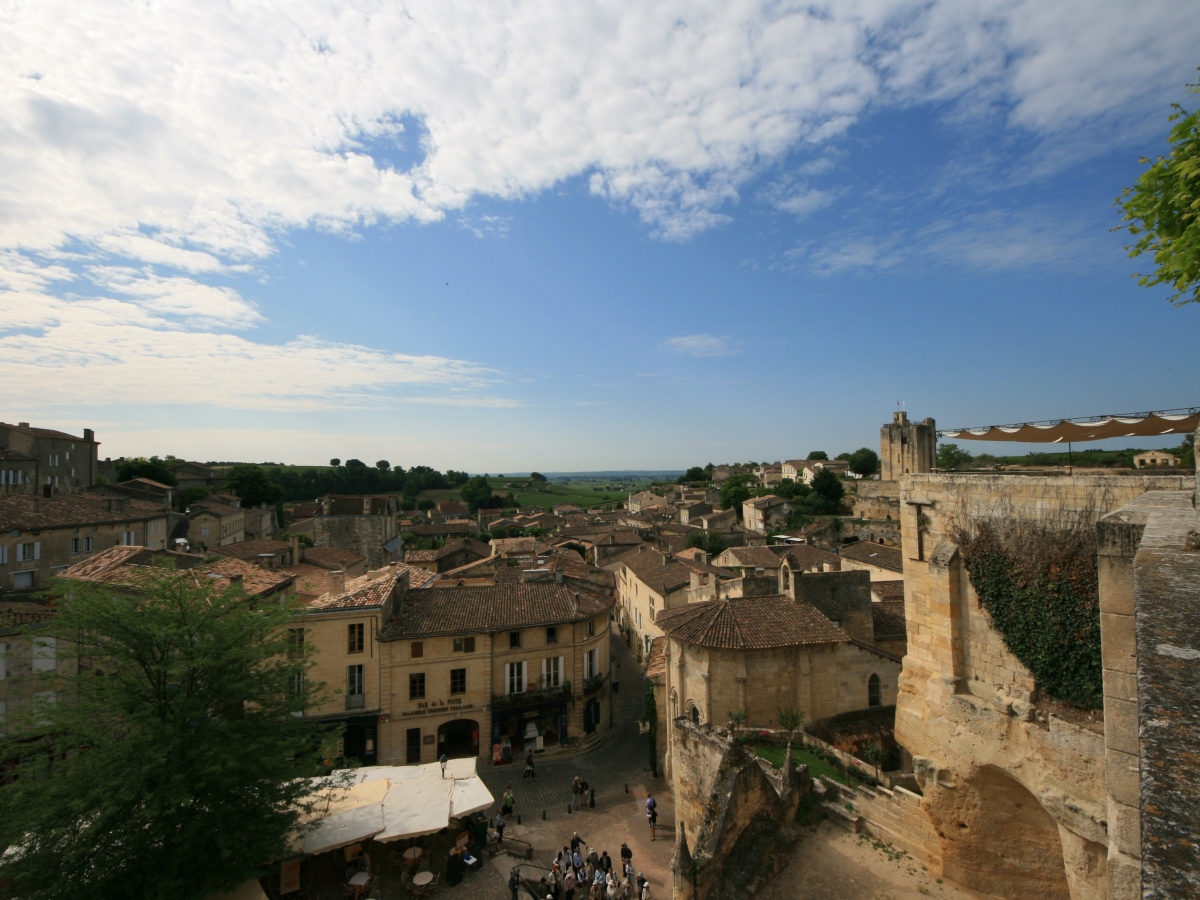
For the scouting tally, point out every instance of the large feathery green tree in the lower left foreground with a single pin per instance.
(173, 764)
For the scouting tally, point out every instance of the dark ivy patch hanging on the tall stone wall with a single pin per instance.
(1040, 585)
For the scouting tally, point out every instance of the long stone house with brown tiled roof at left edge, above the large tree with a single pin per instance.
(41, 537)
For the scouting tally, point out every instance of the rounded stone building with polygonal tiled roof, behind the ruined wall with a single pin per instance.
(764, 655)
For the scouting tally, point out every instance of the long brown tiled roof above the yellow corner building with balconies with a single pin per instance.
(490, 609)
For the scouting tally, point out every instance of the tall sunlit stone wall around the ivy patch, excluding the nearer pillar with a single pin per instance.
(1017, 793)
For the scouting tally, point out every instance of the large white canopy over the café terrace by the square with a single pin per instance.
(389, 803)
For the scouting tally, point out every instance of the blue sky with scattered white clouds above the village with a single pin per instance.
(529, 238)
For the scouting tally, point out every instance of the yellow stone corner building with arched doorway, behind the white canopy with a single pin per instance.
(495, 671)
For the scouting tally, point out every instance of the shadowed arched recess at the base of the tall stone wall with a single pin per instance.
(997, 838)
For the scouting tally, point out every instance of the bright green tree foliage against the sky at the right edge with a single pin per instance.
(1161, 211)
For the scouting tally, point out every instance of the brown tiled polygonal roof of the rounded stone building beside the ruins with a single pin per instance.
(749, 623)
